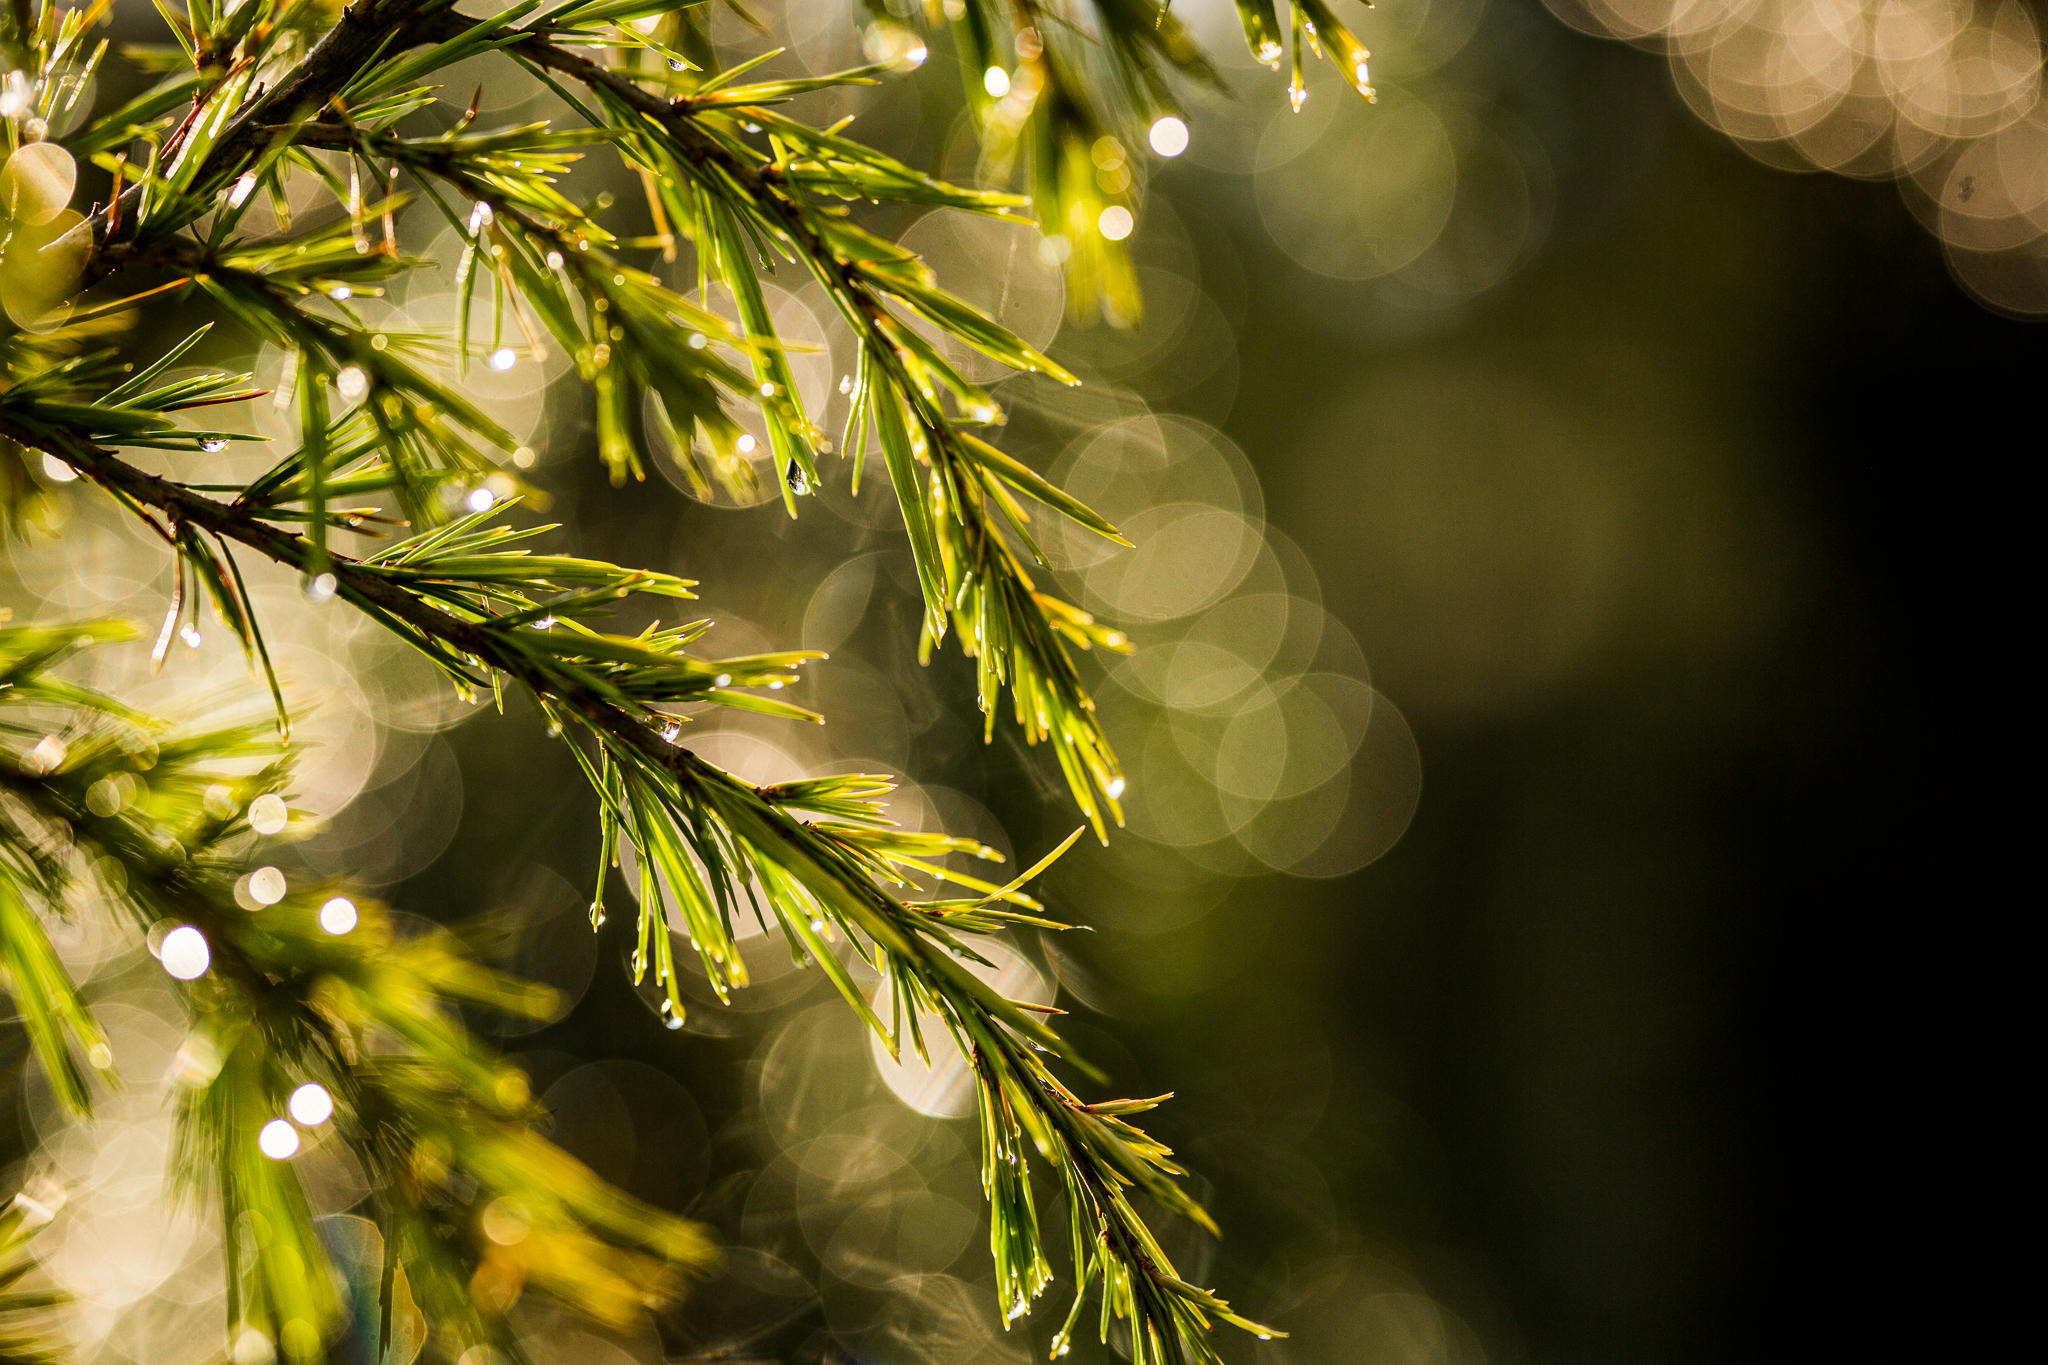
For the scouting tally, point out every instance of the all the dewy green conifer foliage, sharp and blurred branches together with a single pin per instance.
(173, 214)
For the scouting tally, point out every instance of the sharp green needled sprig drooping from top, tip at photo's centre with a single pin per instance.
(959, 496)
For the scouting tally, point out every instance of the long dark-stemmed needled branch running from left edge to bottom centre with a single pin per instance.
(816, 873)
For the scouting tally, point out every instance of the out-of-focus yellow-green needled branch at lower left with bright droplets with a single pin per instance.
(310, 1016)
